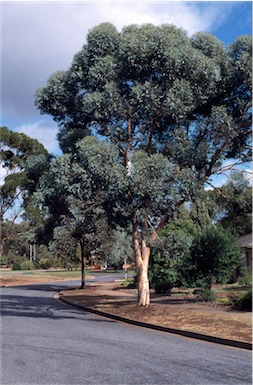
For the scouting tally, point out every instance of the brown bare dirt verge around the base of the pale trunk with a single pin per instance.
(174, 312)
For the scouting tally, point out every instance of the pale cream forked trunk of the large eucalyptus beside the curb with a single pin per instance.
(142, 253)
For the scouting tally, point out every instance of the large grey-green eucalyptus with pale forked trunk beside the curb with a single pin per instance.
(184, 101)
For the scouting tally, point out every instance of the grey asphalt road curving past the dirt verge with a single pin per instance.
(46, 342)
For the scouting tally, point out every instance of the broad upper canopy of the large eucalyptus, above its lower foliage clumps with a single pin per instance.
(160, 81)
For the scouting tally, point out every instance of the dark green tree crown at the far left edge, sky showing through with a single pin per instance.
(24, 159)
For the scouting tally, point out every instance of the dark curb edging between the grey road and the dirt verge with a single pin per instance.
(198, 336)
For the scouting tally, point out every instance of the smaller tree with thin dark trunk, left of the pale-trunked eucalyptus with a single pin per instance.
(73, 196)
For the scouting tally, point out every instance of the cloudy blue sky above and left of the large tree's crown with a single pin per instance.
(39, 38)
